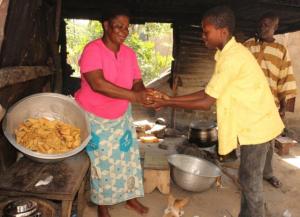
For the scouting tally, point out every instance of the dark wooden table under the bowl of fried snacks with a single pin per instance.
(69, 177)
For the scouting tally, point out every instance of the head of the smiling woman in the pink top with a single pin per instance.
(115, 24)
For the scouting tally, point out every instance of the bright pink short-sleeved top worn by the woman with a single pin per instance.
(120, 70)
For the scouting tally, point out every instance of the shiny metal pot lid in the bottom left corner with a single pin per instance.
(22, 206)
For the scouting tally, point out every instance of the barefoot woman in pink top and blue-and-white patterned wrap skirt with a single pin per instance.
(110, 80)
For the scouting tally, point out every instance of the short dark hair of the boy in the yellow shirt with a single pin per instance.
(221, 17)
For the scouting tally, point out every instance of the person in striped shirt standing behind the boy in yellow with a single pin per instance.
(275, 62)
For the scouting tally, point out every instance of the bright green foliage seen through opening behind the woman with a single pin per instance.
(142, 39)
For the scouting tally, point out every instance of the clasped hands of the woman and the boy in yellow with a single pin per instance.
(154, 99)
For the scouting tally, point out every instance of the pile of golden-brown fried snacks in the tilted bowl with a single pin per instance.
(47, 137)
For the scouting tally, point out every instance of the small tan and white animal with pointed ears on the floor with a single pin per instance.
(175, 207)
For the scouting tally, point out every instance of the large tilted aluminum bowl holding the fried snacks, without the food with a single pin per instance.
(51, 106)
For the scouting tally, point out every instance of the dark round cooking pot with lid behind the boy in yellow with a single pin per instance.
(203, 133)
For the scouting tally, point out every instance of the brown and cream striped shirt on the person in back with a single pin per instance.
(274, 60)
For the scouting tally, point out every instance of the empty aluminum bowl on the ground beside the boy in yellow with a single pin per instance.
(192, 173)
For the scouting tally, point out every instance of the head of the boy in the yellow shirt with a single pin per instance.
(218, 25)
